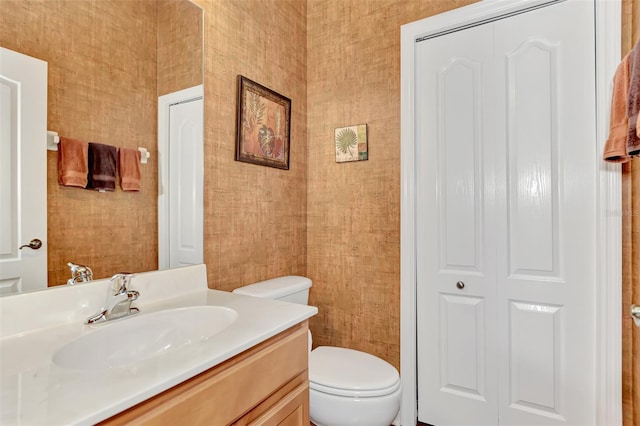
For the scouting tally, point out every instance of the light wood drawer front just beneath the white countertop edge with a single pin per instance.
(226, 392)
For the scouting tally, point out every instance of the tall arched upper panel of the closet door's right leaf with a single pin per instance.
(532, 127)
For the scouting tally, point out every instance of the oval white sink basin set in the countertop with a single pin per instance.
(129, 340)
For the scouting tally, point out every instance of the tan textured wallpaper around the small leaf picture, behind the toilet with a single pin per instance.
(354, 208)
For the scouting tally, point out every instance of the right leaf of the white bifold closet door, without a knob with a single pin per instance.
(546, 273)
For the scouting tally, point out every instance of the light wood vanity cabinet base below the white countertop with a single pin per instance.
(265, 385)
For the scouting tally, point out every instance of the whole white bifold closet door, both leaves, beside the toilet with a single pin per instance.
(507, 129)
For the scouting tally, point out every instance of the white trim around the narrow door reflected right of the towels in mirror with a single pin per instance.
(164, 103)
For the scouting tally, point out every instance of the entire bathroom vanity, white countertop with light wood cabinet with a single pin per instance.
(191, 356)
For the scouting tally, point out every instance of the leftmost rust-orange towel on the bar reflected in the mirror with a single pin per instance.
(72, 162)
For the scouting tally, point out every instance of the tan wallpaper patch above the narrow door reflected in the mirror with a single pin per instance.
(179, 45)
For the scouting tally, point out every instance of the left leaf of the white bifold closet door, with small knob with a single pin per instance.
(455, 219)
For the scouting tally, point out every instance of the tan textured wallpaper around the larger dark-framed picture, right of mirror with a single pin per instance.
(255, 216)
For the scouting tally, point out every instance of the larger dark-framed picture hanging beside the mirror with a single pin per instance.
(264, 123)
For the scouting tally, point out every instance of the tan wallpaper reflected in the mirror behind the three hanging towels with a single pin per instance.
(102, 88)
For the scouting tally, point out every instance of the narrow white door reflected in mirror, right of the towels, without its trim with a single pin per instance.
(186, 176)
